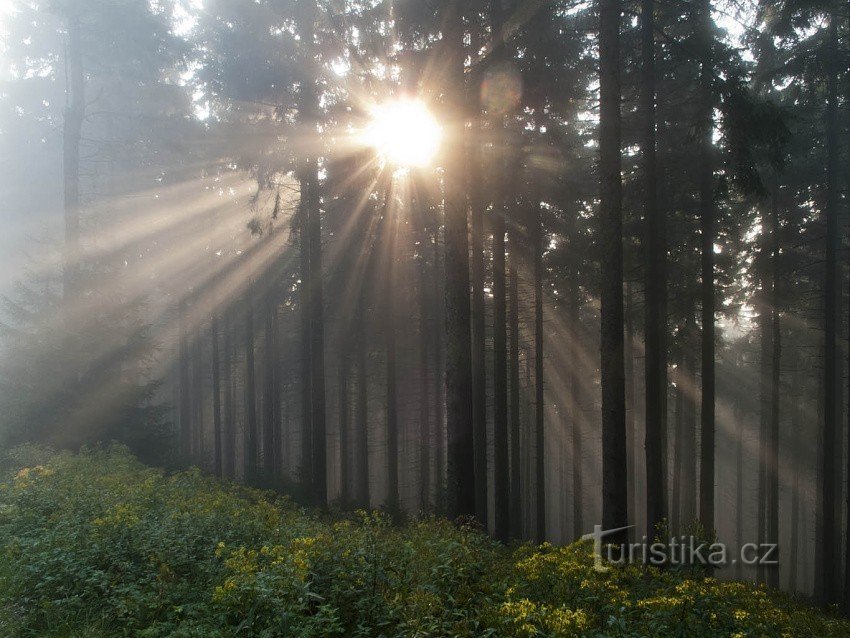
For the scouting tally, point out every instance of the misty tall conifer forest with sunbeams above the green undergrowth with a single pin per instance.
(617, 296)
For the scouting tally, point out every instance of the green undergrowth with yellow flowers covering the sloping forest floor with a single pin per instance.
(98, 544)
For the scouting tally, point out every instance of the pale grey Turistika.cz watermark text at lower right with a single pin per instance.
(677, 551)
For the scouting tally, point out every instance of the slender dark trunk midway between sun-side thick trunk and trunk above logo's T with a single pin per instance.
(539, 403)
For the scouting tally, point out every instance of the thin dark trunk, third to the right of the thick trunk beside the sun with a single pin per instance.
(515, 424)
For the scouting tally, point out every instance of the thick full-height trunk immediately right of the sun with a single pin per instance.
(461, 456)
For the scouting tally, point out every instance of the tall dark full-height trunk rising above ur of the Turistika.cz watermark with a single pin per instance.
(655, 285)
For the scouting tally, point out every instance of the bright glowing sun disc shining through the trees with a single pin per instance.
(404, 133)
